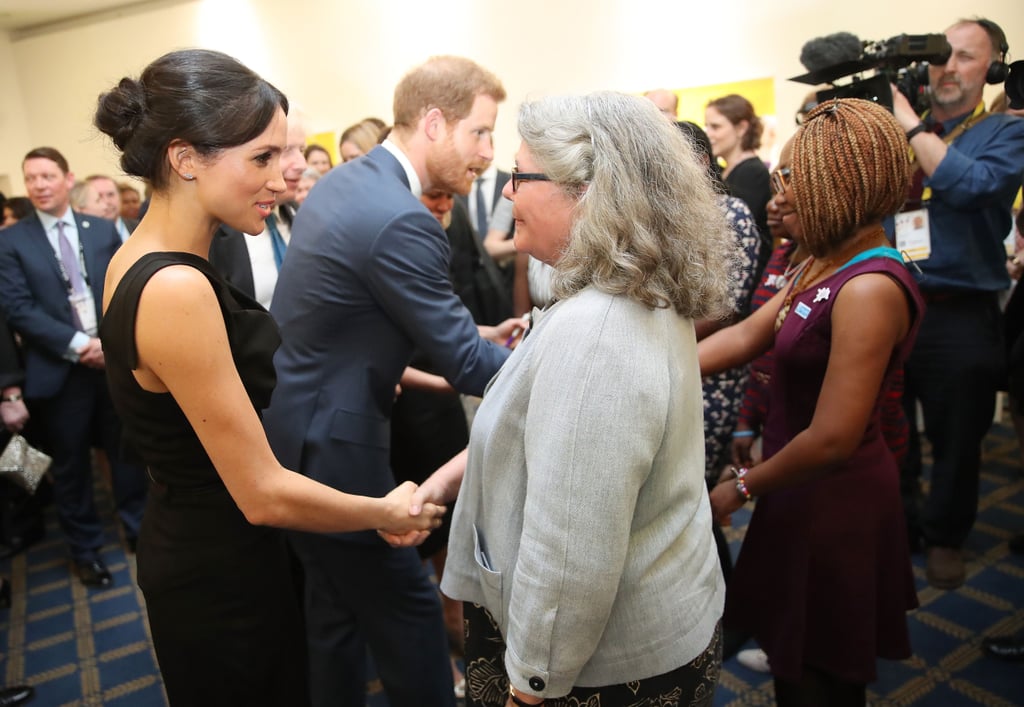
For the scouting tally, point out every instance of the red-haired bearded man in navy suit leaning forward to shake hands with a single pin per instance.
(365, 283)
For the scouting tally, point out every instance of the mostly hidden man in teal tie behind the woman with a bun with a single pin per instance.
(251, 263)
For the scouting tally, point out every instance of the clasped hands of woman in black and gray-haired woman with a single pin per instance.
(419, 510)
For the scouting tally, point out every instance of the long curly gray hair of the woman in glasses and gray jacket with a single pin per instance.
(648, 223)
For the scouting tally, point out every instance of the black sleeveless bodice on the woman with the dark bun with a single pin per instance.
(156, 431)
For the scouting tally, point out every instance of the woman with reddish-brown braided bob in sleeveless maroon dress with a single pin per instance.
(824, 578)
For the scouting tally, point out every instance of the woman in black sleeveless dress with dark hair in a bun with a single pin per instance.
(190, 363)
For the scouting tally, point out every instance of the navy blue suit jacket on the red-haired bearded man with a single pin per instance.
(366, 282)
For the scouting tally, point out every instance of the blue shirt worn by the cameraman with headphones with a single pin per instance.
(973, 190)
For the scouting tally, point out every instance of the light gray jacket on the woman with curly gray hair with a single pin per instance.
(583, 524)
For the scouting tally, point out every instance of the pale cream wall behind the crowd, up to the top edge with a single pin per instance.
(339, 60)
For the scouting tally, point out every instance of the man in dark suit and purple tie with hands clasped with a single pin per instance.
(53, 265)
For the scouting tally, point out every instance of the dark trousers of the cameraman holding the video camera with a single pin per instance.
(955, 370)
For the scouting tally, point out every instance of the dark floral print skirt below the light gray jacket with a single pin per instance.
(488, 685)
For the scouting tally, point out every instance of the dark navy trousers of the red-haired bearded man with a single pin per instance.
(370, 596)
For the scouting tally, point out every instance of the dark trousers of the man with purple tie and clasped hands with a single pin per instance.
(71, 422)
